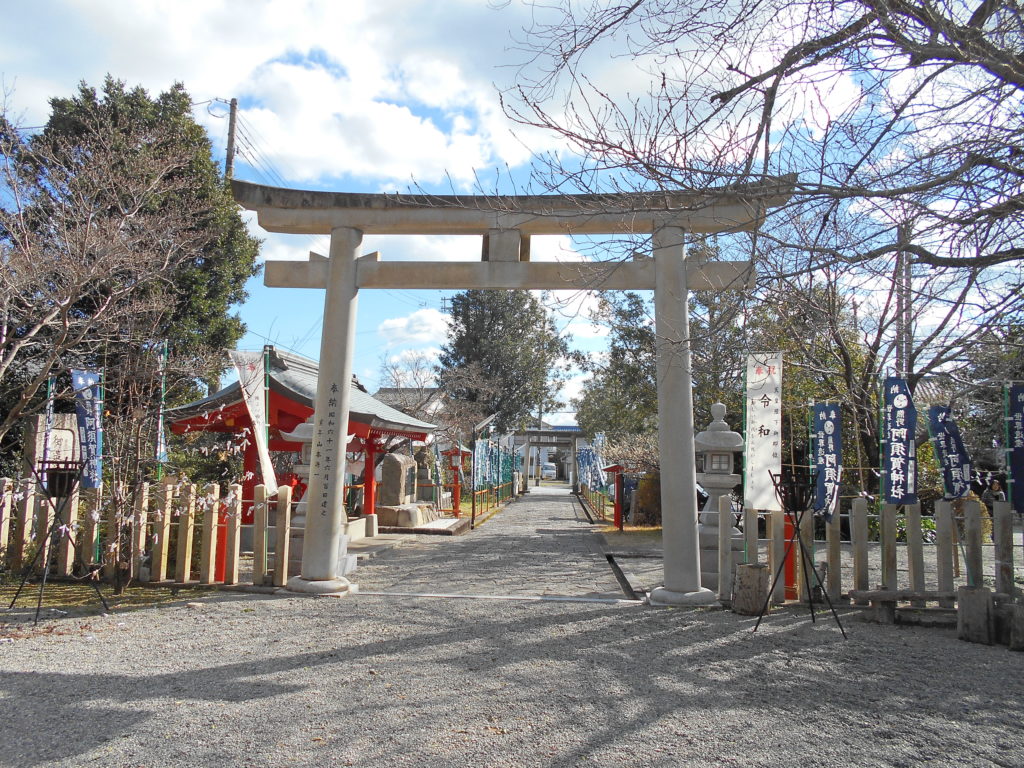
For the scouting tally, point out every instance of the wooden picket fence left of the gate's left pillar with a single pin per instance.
(153, 534)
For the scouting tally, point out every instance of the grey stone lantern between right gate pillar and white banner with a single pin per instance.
(719, 447)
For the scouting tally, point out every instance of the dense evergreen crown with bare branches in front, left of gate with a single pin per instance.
(116, 235)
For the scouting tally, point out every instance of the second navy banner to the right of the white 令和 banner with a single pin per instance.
(900, 455)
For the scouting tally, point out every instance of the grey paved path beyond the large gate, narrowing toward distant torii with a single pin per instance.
(540, 545)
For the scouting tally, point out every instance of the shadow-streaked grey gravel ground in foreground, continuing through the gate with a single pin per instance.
(253, 680)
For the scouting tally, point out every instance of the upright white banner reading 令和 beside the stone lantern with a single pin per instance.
(764, 430)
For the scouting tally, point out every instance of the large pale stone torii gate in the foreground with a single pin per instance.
(506, 225)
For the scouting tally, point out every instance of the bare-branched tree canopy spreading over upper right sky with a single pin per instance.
(902, 124)
